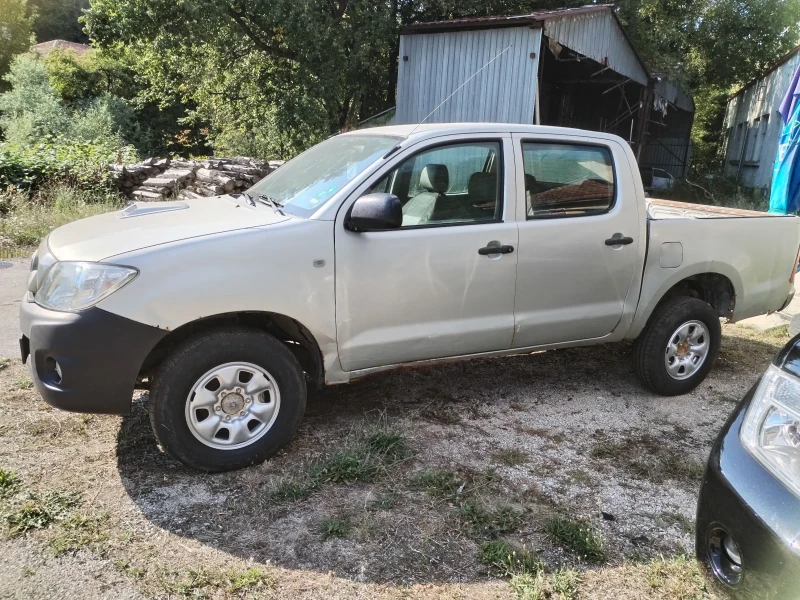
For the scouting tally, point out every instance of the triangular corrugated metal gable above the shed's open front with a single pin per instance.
(598, 35)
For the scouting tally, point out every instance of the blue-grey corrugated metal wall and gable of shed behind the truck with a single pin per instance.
(439, 56)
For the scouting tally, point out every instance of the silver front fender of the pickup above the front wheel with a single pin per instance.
(285, 268)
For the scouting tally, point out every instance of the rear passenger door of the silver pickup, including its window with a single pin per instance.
(579, 239)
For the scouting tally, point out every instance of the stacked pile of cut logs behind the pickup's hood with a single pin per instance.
(163, 178)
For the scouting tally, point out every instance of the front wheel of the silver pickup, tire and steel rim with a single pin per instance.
(213, 367)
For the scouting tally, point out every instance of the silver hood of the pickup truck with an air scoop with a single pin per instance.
(146, 224)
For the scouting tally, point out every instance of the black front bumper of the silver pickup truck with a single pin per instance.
(86, 361)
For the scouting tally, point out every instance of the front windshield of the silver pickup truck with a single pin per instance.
(308, 181)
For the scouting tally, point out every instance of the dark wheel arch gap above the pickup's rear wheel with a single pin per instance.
(713, 287)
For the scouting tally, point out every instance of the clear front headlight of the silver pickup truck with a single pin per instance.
(74, 286)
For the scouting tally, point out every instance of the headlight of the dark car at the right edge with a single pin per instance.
(771, 429)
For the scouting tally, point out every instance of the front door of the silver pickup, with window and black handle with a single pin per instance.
(432, 288)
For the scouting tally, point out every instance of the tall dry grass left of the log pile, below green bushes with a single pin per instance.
(25, 221)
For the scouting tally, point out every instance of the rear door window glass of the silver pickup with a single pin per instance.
(567, 180)
